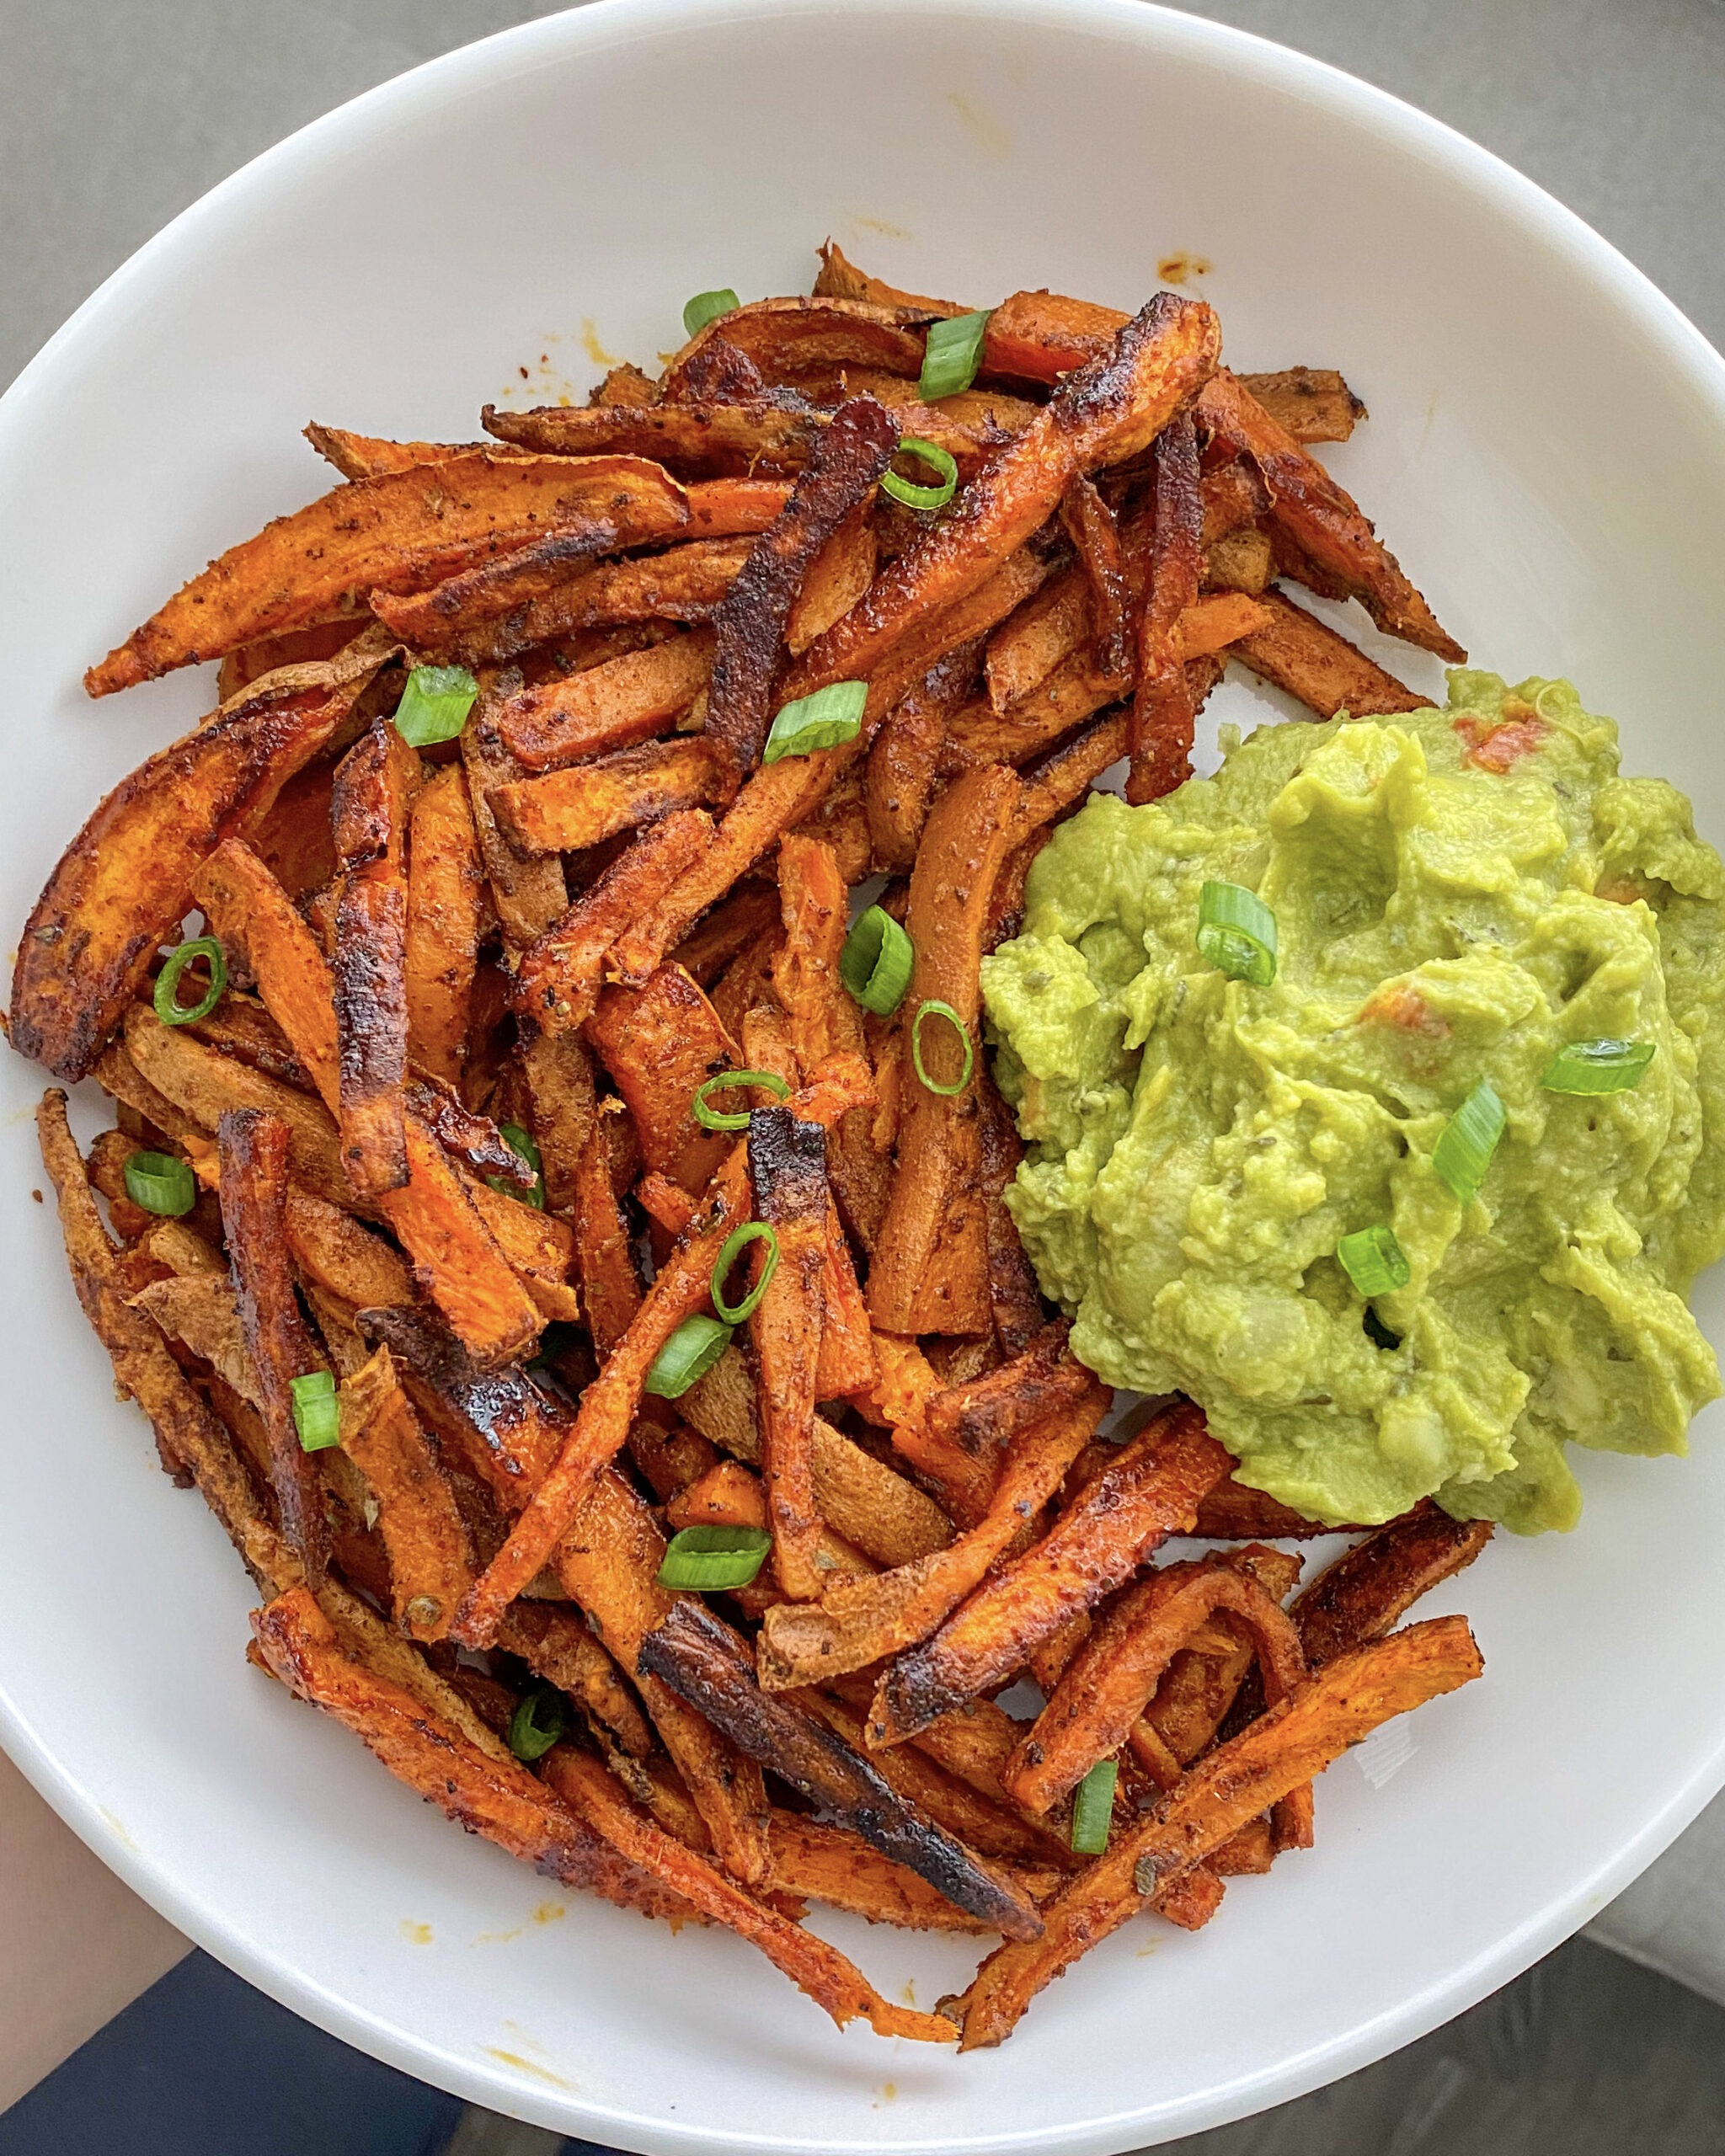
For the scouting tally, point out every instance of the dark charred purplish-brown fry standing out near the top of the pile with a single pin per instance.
(844, 467)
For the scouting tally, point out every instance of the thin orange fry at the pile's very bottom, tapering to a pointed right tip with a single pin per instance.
(810, 1963)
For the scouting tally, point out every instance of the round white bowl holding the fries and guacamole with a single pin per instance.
(1547, 454)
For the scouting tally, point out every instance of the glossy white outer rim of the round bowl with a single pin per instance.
(1672, 340)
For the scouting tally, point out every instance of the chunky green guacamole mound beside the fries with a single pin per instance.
(1457, 896)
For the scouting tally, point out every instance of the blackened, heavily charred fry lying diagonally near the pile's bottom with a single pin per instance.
(702, 1659)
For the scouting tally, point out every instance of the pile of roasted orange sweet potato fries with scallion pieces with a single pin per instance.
(536, 801)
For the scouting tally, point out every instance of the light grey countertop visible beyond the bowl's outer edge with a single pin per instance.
(120, 113)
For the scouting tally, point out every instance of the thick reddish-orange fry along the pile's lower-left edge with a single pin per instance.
(488, 1795)
